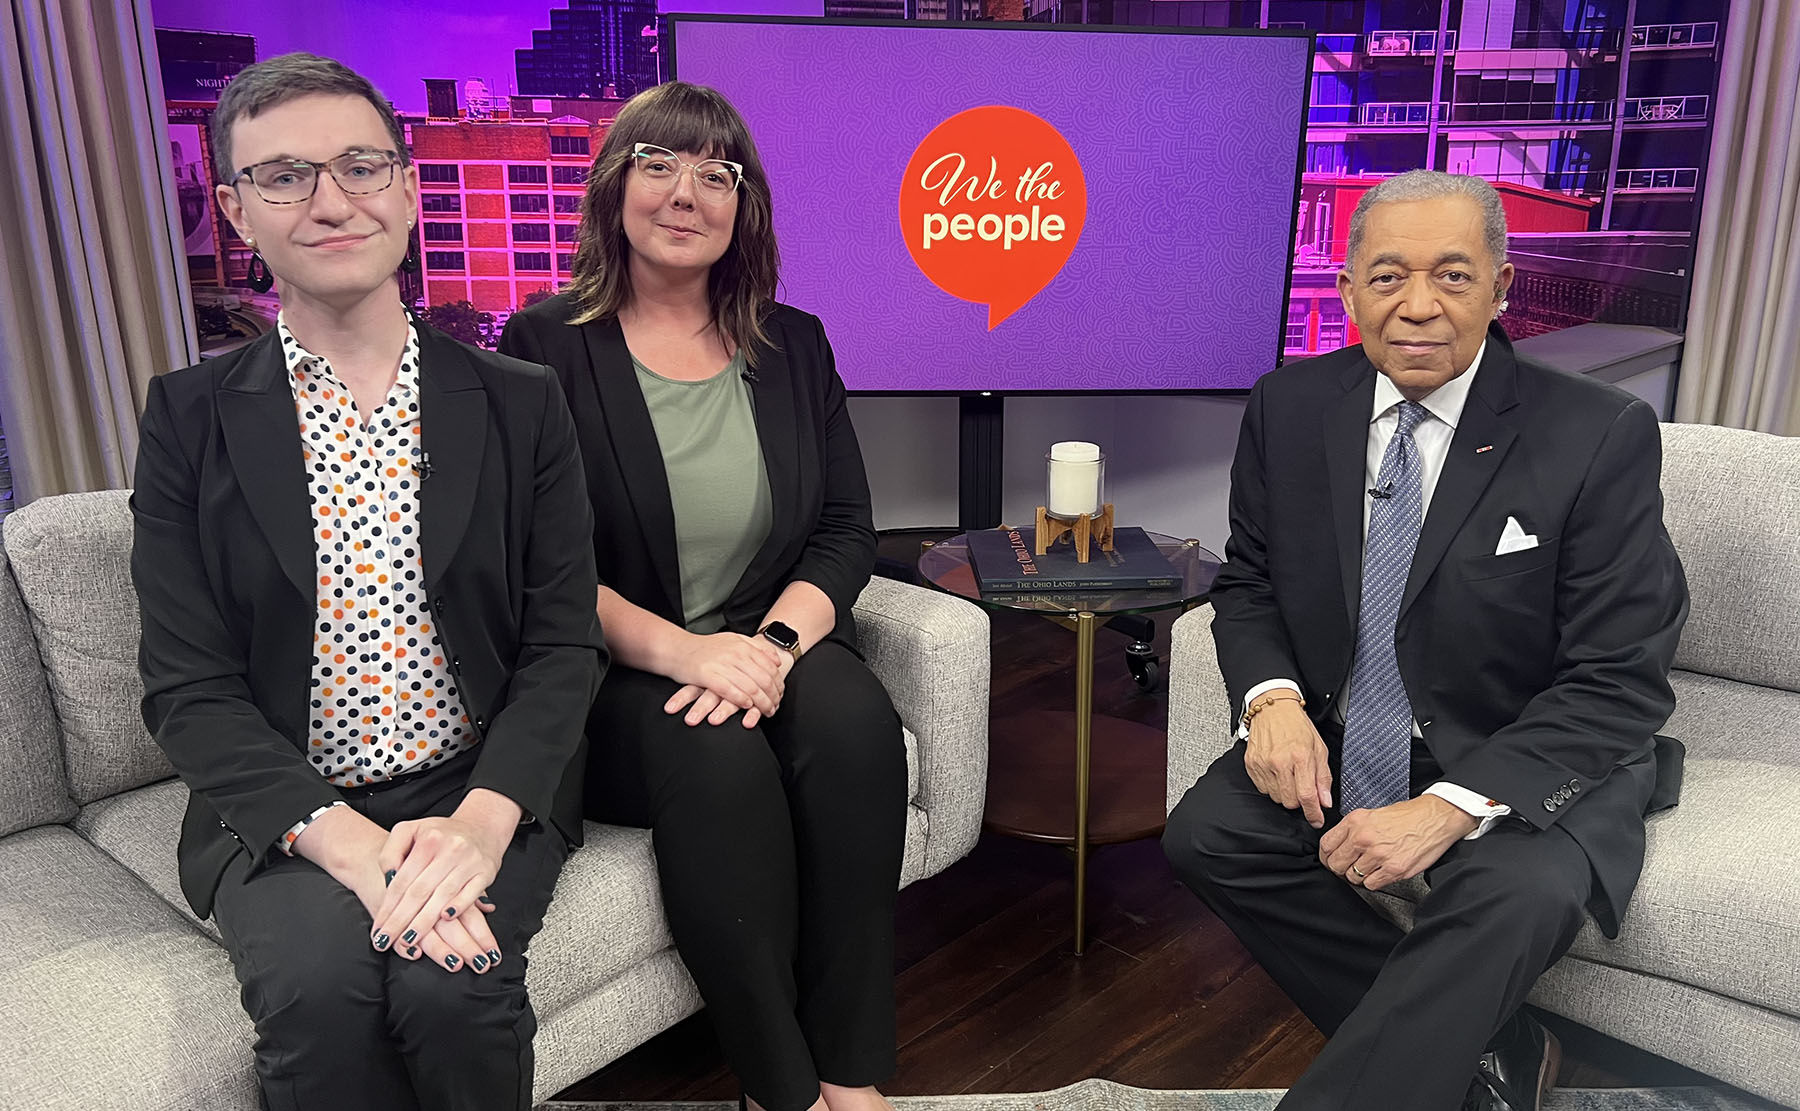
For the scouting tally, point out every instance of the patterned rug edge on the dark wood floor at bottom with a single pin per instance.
(1104, 1096)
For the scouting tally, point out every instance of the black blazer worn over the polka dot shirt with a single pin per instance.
(226, 579)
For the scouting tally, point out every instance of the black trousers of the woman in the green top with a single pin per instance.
(780, 860)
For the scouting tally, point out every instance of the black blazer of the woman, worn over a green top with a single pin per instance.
(823, 528)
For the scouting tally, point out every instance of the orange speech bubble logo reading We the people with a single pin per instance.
(991, 206)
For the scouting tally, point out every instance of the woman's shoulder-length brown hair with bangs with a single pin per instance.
(742, 284)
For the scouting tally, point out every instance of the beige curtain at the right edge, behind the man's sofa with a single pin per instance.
(1741, 365)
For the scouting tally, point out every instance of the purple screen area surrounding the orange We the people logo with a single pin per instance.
(1189, 145)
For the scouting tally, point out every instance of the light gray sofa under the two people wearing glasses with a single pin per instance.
(120, 998)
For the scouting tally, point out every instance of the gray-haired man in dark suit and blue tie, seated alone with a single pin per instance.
(1446, 620)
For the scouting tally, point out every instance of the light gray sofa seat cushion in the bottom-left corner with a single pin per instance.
(116, 1004)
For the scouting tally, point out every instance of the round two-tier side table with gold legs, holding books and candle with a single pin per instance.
(1120, 782)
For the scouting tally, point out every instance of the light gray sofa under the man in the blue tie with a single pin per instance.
(1707, 968)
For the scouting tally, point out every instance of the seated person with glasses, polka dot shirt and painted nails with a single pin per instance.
(368, 631)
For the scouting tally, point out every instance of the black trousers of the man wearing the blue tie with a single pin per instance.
(1408, 1015)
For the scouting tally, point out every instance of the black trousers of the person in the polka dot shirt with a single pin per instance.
(341, 1027)
